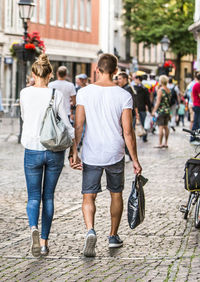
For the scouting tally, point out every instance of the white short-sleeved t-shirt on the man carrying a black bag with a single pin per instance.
(103, 143)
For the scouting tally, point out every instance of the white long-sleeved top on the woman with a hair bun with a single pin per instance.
(34, 102)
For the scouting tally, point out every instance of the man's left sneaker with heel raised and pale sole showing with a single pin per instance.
(90, 242)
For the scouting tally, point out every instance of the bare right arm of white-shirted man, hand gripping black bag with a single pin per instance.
(130, 140)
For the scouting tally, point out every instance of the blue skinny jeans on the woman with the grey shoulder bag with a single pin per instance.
(42, 170)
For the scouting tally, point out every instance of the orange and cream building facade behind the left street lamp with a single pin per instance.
(69, 28)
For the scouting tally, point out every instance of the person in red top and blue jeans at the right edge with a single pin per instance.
(196, 106)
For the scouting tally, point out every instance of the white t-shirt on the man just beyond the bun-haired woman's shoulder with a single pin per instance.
(67, 88)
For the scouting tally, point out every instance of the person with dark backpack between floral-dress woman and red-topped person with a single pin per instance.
(173, 102)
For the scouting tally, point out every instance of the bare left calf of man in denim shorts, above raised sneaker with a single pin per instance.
(89, 209)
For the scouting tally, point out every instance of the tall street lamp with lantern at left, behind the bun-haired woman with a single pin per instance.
(25, 12)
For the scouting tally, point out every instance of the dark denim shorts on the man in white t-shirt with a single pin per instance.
(92, 178)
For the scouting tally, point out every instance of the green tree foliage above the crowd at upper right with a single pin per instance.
(149, 20)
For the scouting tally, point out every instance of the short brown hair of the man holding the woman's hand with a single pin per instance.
(107, 63)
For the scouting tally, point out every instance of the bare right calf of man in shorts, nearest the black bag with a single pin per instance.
(116, 209)
